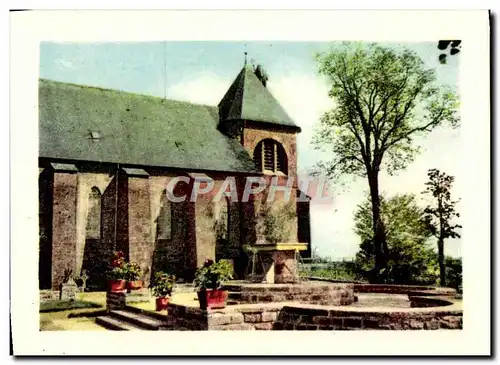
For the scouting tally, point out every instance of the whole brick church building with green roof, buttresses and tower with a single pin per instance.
(107, 156)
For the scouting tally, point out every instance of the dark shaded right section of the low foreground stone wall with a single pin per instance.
(303, 318)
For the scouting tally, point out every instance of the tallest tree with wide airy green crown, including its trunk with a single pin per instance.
(384, 100)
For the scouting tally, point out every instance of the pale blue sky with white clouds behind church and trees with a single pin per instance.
(201, 72)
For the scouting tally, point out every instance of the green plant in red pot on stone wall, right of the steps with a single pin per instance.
(209, 278)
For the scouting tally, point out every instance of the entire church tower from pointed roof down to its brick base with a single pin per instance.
(250, 113)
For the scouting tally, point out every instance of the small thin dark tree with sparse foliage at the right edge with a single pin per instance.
(440, 215)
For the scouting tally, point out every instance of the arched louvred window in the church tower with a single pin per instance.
(270, 156)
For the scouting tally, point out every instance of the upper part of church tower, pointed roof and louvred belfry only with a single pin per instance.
(250, 113)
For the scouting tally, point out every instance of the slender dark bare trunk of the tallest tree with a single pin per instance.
(379, 239)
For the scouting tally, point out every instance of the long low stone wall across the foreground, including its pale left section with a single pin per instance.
(300, 317)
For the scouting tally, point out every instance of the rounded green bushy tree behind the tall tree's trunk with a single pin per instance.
(410, 260)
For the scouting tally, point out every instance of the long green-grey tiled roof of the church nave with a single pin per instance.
(92, 124)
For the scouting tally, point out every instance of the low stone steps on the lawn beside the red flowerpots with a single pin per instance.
(132, 319)
